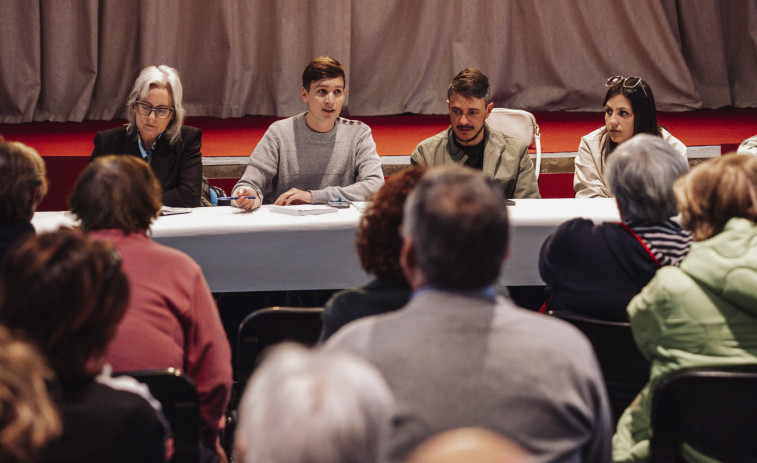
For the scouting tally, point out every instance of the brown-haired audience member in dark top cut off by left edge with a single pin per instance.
(22, 186)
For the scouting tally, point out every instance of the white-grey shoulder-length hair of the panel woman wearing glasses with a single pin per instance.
(157, 77)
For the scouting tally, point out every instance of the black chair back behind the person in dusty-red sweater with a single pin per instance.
(178, 397)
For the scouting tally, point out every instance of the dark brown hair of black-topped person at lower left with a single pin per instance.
(66, 292)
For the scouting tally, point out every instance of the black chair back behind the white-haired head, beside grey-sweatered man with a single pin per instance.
(266, 327)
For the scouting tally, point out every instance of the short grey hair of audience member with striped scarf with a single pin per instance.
(641, 172)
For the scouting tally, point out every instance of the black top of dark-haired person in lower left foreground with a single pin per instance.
(101, 423)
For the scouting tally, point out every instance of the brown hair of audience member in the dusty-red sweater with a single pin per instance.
(116, 192)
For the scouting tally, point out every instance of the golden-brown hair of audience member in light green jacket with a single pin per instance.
(715, 191)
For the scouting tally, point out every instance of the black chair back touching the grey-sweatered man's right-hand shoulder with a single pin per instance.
(624, 369)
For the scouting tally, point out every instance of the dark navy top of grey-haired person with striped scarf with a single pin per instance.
(595, 270)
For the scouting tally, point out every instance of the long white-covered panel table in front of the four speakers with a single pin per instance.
(267, 251)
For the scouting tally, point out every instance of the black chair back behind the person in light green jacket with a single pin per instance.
(714, 410)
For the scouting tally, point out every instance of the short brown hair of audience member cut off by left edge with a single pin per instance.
(22, 180)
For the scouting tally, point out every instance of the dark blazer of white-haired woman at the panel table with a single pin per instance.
(178, 166)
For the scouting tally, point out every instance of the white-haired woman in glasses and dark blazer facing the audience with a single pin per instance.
(155, 133)
